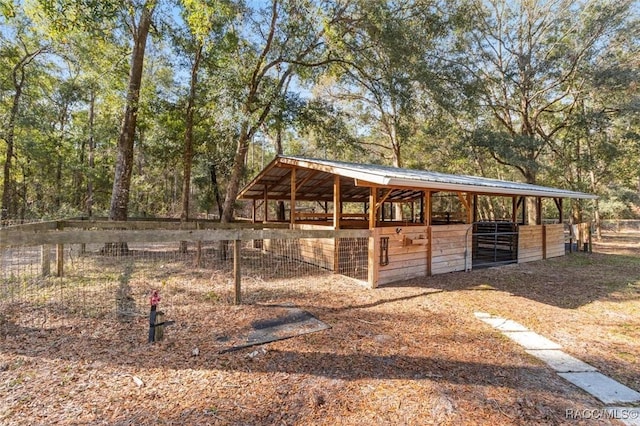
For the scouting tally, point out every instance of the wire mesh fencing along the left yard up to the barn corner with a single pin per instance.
(42, 284)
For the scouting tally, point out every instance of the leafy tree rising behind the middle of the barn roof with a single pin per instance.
(392, 75)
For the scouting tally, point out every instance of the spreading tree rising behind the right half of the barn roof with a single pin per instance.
(527, 58)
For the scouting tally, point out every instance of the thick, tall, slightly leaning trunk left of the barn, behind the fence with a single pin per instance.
(124, 160)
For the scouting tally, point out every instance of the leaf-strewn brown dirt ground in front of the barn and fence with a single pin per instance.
(409, 354)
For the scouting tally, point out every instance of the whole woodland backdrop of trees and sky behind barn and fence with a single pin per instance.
(166, 107)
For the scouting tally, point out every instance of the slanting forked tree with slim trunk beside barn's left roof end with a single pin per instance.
(286, 37)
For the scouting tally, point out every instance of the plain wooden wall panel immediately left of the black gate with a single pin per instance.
(450, 248)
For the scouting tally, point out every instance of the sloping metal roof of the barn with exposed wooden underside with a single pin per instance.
(314, 181)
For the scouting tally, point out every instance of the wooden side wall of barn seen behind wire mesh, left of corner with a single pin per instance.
(317, 251)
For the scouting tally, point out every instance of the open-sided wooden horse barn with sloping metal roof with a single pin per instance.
(415, 223)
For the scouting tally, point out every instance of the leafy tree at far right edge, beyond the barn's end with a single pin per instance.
(600, 146)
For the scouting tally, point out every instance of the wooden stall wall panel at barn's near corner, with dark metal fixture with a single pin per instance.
(408, 254)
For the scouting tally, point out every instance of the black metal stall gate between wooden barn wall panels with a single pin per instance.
(494, 243)
